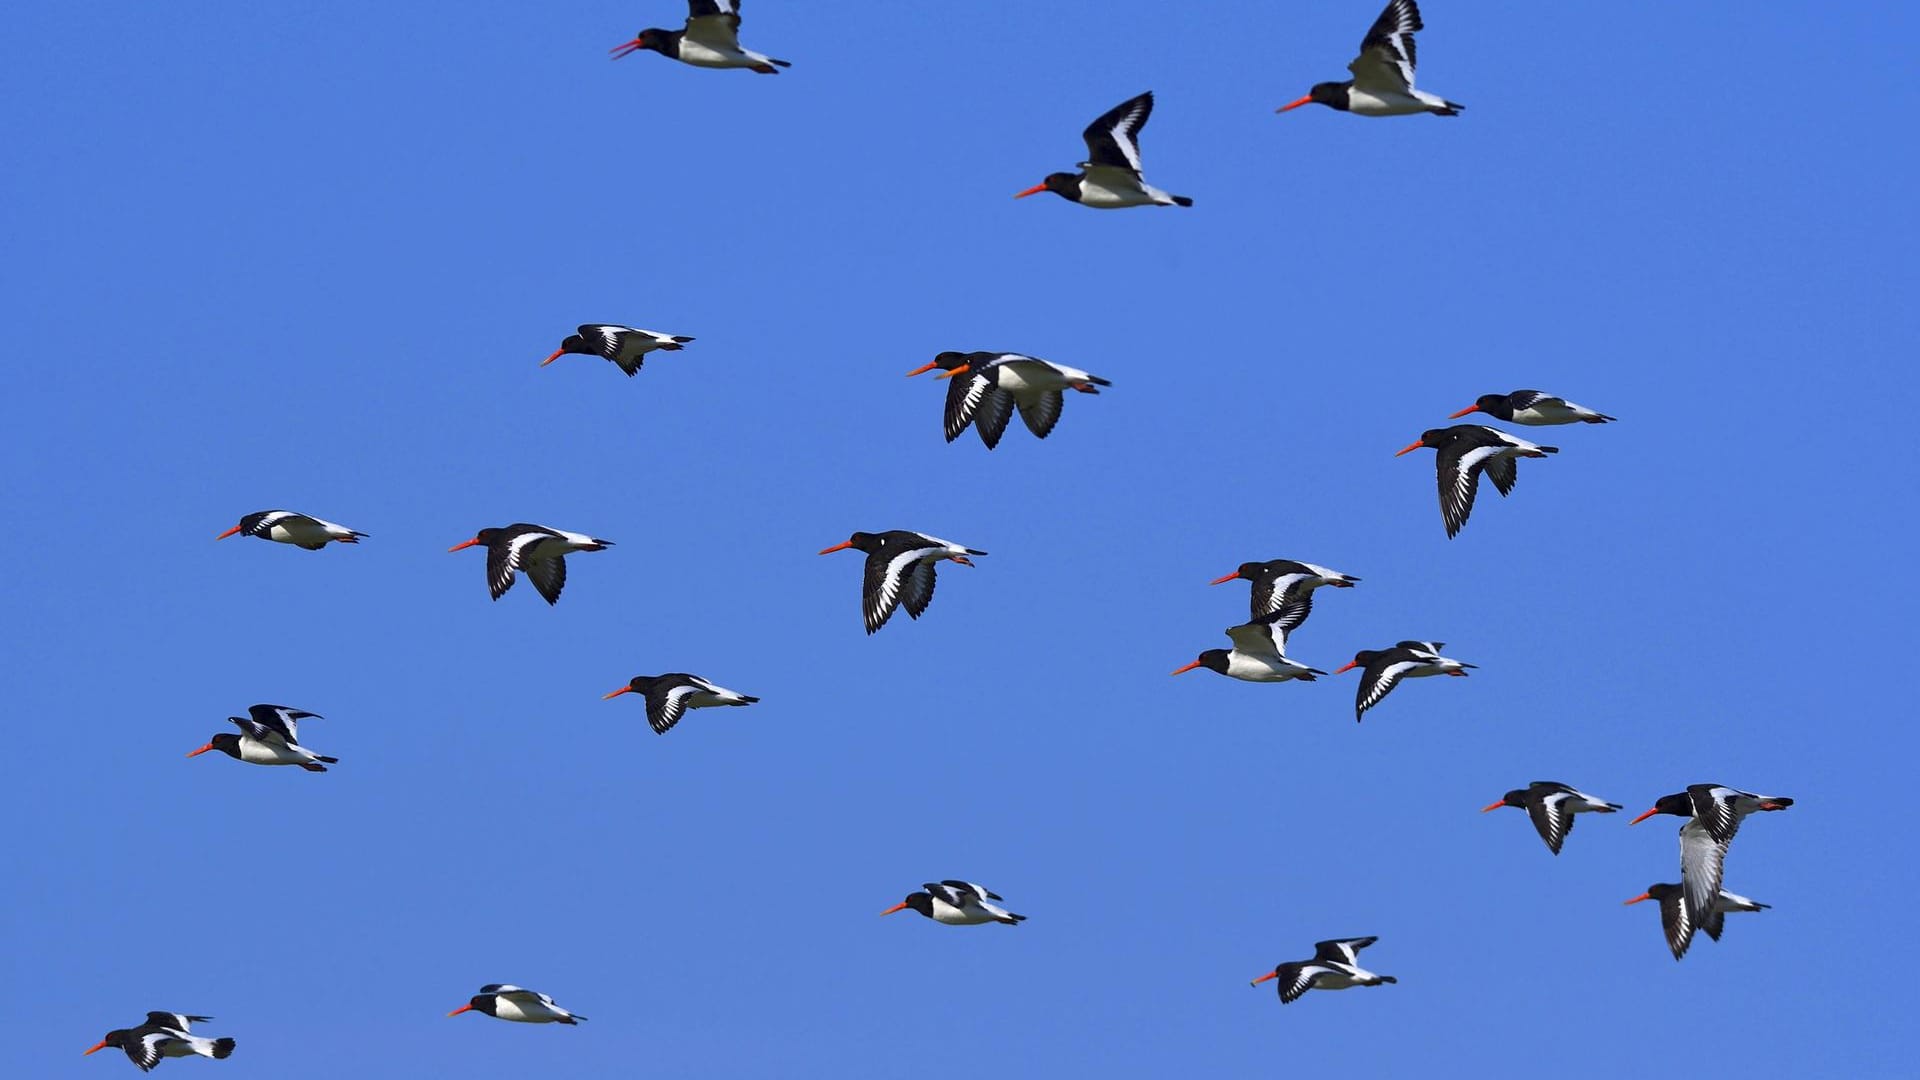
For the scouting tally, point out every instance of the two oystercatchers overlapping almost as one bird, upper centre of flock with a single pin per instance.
(986, 389)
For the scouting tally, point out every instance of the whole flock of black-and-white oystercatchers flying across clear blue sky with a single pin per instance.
(986, 389)
